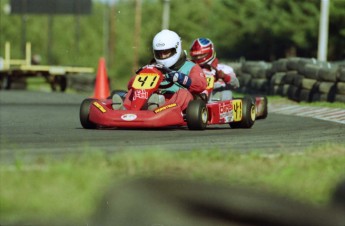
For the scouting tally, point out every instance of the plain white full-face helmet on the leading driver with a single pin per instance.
(167, 47)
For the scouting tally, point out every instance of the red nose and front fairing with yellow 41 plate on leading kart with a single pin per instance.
(145, 83)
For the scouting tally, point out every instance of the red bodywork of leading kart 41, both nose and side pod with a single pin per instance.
(147, 82)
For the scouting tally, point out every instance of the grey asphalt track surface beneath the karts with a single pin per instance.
(37, 123)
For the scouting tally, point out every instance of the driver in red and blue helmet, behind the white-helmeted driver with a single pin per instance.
(203, 53)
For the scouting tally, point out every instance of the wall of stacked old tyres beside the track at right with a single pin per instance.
(299, 79)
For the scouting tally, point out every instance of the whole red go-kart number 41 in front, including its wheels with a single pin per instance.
(238, 113)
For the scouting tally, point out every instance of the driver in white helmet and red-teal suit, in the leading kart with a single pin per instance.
(187, 76)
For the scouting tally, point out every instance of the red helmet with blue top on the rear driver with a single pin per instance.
(202, 51)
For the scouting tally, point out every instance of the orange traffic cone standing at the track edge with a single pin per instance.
(102, 84)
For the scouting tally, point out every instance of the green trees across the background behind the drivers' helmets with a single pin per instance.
(250, 29)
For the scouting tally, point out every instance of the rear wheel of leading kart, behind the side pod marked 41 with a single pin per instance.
(248, 114)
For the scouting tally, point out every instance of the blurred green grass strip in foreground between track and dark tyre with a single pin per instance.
(46, 189)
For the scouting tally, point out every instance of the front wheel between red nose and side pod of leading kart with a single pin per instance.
(197, 115)
